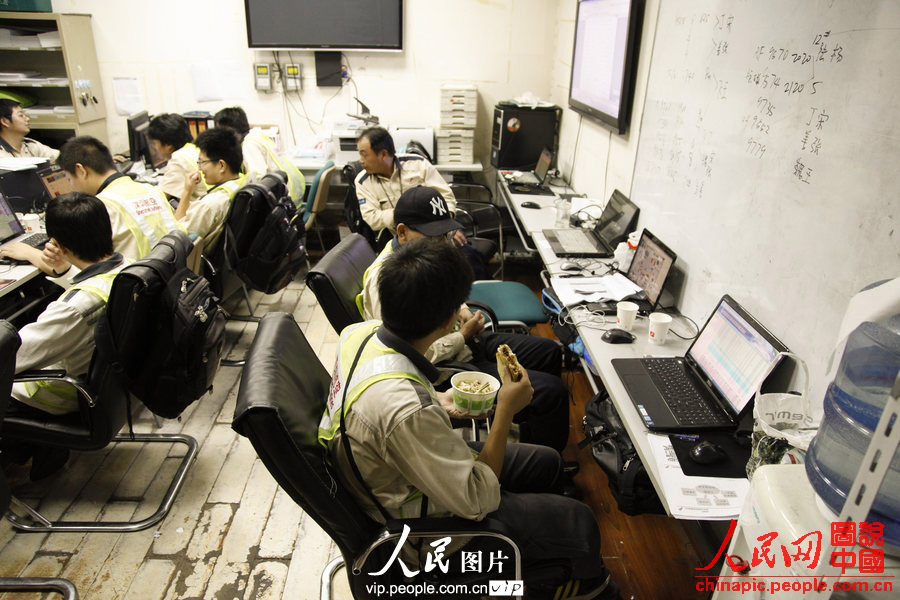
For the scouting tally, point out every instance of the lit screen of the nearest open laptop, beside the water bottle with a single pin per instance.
(734, 352)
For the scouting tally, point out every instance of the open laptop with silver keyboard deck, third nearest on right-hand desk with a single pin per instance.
(615, 223)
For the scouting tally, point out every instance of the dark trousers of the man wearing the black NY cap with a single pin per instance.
(546, 420)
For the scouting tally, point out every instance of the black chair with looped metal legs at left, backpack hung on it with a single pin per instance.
(104, 409)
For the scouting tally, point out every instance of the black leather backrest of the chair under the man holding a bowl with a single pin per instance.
(280, 402)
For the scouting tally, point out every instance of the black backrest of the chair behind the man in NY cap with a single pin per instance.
(337, 278)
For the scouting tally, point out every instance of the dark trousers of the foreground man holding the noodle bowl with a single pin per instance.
(550, 529)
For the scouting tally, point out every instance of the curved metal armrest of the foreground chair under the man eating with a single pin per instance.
(438, 527)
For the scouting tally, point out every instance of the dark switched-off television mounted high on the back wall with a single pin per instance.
(370, 25)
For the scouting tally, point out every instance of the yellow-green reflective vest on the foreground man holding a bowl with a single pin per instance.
(376, 363)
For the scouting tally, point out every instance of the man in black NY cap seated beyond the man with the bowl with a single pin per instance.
(422, 212)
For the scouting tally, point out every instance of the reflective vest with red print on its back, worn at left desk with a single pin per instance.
(143, 210)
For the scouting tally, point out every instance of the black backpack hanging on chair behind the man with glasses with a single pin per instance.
(264, 239)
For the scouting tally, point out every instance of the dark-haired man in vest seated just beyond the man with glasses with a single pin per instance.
(171, 137)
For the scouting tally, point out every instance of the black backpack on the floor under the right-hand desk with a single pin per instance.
(614, 451)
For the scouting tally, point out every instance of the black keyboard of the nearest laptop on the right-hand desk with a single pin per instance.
(682, 398)
